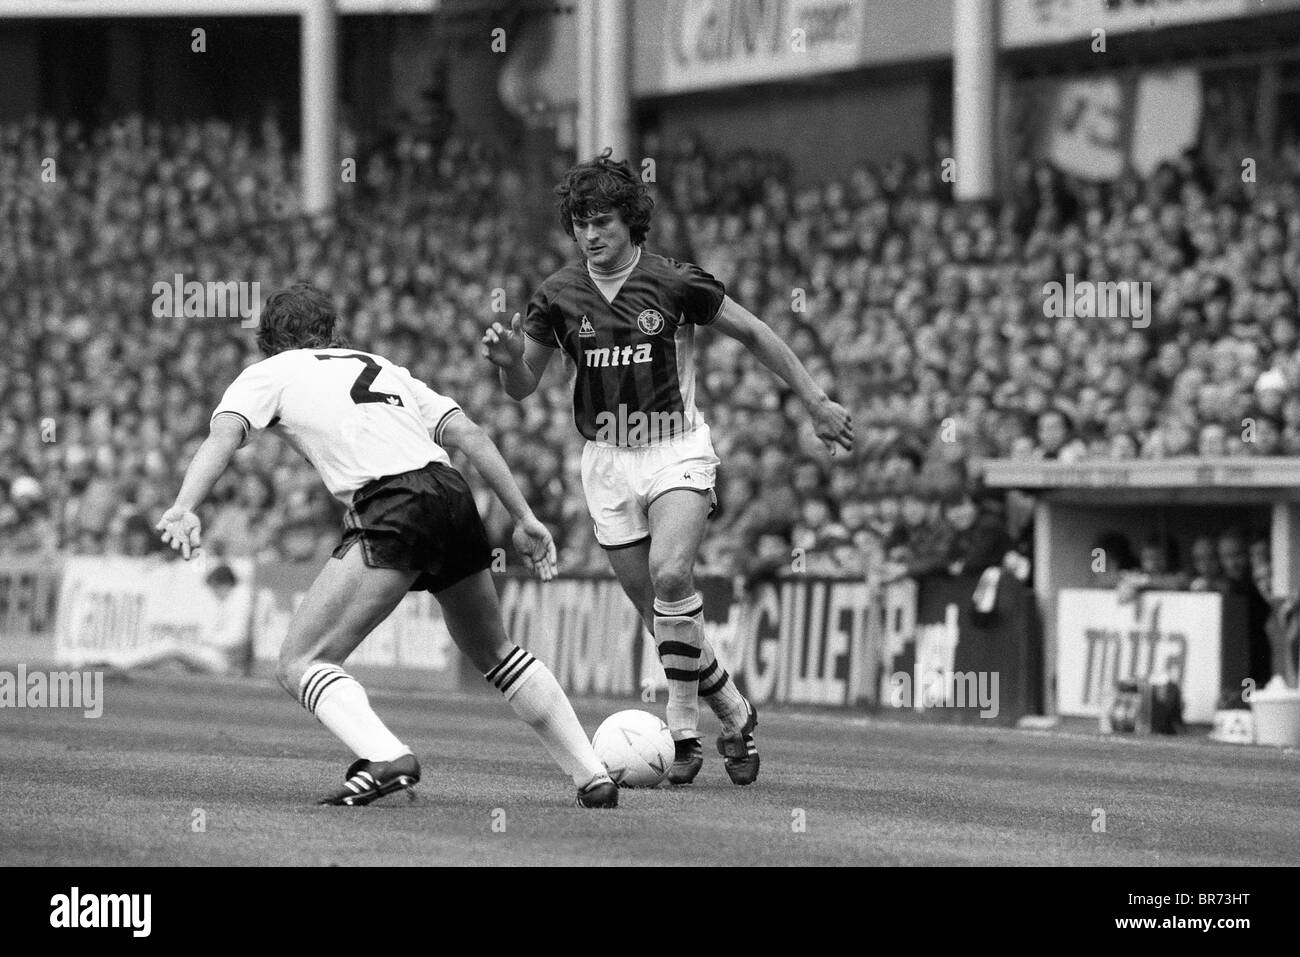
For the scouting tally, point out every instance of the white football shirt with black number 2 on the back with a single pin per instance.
(354, 415)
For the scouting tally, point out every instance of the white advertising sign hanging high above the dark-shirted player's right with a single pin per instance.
(713, 44)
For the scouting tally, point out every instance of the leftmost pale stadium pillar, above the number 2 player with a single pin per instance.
(319, 106)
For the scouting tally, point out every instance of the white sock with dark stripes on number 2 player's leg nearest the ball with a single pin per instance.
(539, 700)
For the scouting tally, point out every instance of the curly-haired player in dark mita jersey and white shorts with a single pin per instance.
(627, 318)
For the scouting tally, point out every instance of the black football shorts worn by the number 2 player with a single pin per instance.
(423, 521)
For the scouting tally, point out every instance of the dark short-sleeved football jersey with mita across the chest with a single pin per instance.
(635, 354)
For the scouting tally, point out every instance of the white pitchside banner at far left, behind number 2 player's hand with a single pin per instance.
(132, 612)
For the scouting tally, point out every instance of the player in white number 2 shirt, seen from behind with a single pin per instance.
(378, 438)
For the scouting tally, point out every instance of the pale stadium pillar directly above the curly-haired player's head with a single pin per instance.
(604, 76)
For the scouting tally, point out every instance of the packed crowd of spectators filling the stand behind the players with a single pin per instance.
(924, 317)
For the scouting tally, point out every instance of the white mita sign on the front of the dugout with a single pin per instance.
(1164, 634)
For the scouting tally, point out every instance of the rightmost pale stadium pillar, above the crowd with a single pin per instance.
(976, 98)
